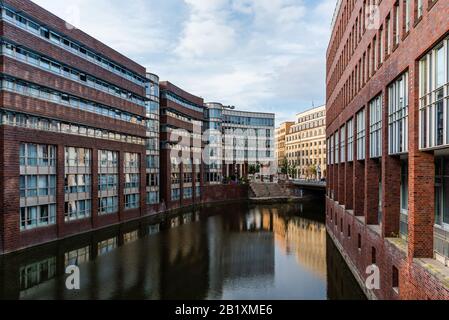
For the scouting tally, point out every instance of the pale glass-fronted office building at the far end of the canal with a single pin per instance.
(247, 139)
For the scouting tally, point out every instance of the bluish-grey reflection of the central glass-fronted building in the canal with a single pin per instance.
(241, 249)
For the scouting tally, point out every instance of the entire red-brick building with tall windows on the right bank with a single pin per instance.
(387, 132)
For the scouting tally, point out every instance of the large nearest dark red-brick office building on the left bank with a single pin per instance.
(73, 130)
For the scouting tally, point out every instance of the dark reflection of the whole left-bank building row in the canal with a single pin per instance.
(184, 257)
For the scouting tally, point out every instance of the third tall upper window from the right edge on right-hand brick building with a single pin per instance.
(375, 108)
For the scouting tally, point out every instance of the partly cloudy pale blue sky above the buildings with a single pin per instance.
(257, 55)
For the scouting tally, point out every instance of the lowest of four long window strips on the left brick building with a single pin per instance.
(46, 124)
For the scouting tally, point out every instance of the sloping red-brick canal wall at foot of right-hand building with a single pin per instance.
(401, 278)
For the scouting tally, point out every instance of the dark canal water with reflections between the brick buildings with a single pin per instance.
(234, 251)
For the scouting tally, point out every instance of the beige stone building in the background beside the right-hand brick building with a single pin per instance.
(305, 145)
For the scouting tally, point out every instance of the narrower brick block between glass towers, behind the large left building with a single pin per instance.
(182, 118)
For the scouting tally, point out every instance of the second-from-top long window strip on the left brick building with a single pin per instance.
(30, 57)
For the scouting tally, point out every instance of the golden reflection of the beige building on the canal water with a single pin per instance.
(303, 237)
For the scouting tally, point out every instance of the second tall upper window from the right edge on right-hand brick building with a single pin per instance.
(398, 115)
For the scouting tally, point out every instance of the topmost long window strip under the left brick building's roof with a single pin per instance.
(34, 27)
